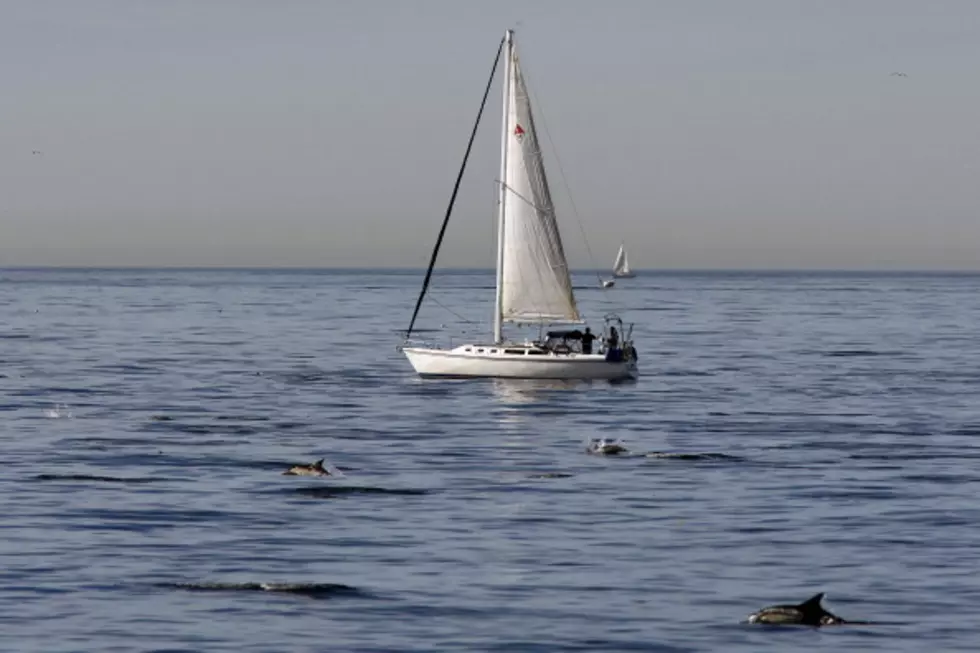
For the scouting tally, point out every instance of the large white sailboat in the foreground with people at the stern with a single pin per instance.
(533, 286)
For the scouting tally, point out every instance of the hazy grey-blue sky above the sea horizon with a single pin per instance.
(708, 134)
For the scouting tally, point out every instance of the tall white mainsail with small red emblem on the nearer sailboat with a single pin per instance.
(536, 286)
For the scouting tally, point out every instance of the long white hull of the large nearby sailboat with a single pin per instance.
(466, 361)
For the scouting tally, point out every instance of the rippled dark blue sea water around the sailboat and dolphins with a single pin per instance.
(147, 417)
